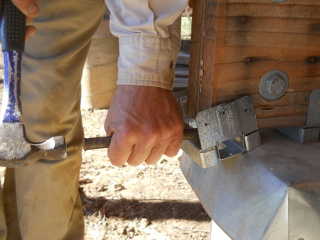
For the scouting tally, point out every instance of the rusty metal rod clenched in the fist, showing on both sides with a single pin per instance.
(104, 142)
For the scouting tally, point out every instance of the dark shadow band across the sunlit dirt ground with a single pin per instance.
(152, 210)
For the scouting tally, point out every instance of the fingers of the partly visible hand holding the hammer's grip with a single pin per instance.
(30, 8)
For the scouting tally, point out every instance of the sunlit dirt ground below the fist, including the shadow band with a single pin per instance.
(144, 202)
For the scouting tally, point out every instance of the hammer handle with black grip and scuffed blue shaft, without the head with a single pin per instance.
(13, 31)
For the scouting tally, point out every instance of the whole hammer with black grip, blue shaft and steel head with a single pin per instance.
(15, 150)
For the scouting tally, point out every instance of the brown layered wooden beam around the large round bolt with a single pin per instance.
(235, 42)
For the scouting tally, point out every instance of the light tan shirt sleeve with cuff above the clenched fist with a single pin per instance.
(149, 40)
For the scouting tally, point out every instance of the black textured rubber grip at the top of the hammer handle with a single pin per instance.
(13, 27)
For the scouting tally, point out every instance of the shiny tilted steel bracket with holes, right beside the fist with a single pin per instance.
(225, 131)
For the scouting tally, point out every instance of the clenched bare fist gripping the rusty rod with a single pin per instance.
(145, 123)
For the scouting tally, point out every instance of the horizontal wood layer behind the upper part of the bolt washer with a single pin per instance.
(239, 78)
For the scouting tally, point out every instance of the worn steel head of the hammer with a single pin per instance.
(15, 151)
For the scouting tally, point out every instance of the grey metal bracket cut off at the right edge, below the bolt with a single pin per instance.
(311, 131)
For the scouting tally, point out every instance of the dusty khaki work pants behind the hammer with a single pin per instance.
(41, 201)
